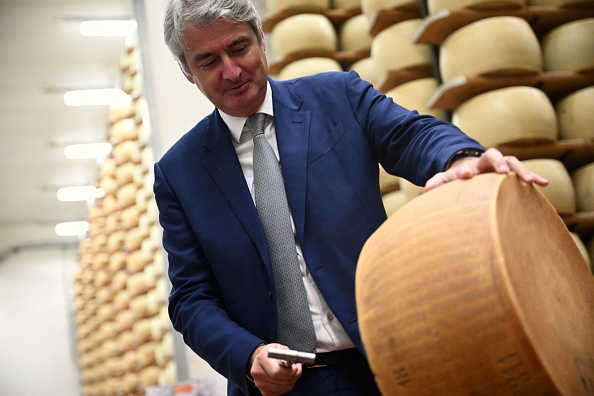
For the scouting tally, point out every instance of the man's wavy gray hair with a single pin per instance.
(181, 14)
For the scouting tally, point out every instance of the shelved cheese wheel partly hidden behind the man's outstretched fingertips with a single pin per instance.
(560, 192)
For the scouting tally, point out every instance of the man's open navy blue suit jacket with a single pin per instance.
(332, 131)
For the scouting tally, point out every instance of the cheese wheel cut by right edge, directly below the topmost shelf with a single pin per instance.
(569, 47)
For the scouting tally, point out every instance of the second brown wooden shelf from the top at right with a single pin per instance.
(555, 85)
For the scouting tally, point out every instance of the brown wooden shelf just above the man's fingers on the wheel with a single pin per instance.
(573, 153)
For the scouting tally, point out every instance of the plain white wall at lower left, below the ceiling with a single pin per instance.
(36, 333)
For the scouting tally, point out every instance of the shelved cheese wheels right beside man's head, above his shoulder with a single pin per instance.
(315, 37)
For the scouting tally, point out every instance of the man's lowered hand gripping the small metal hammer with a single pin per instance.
(269, 376)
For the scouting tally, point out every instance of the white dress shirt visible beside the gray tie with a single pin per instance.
(330, 334)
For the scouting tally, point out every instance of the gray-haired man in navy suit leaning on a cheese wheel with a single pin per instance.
(330, 132)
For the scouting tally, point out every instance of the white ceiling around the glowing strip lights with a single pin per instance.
(42, 55)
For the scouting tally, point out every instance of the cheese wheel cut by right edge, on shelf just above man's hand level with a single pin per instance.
(575, 115)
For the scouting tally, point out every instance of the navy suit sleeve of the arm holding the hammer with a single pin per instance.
(195, 305)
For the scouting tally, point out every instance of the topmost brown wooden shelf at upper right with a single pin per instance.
(438, 26)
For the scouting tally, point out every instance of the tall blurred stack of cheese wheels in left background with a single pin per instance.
(121, 292)
